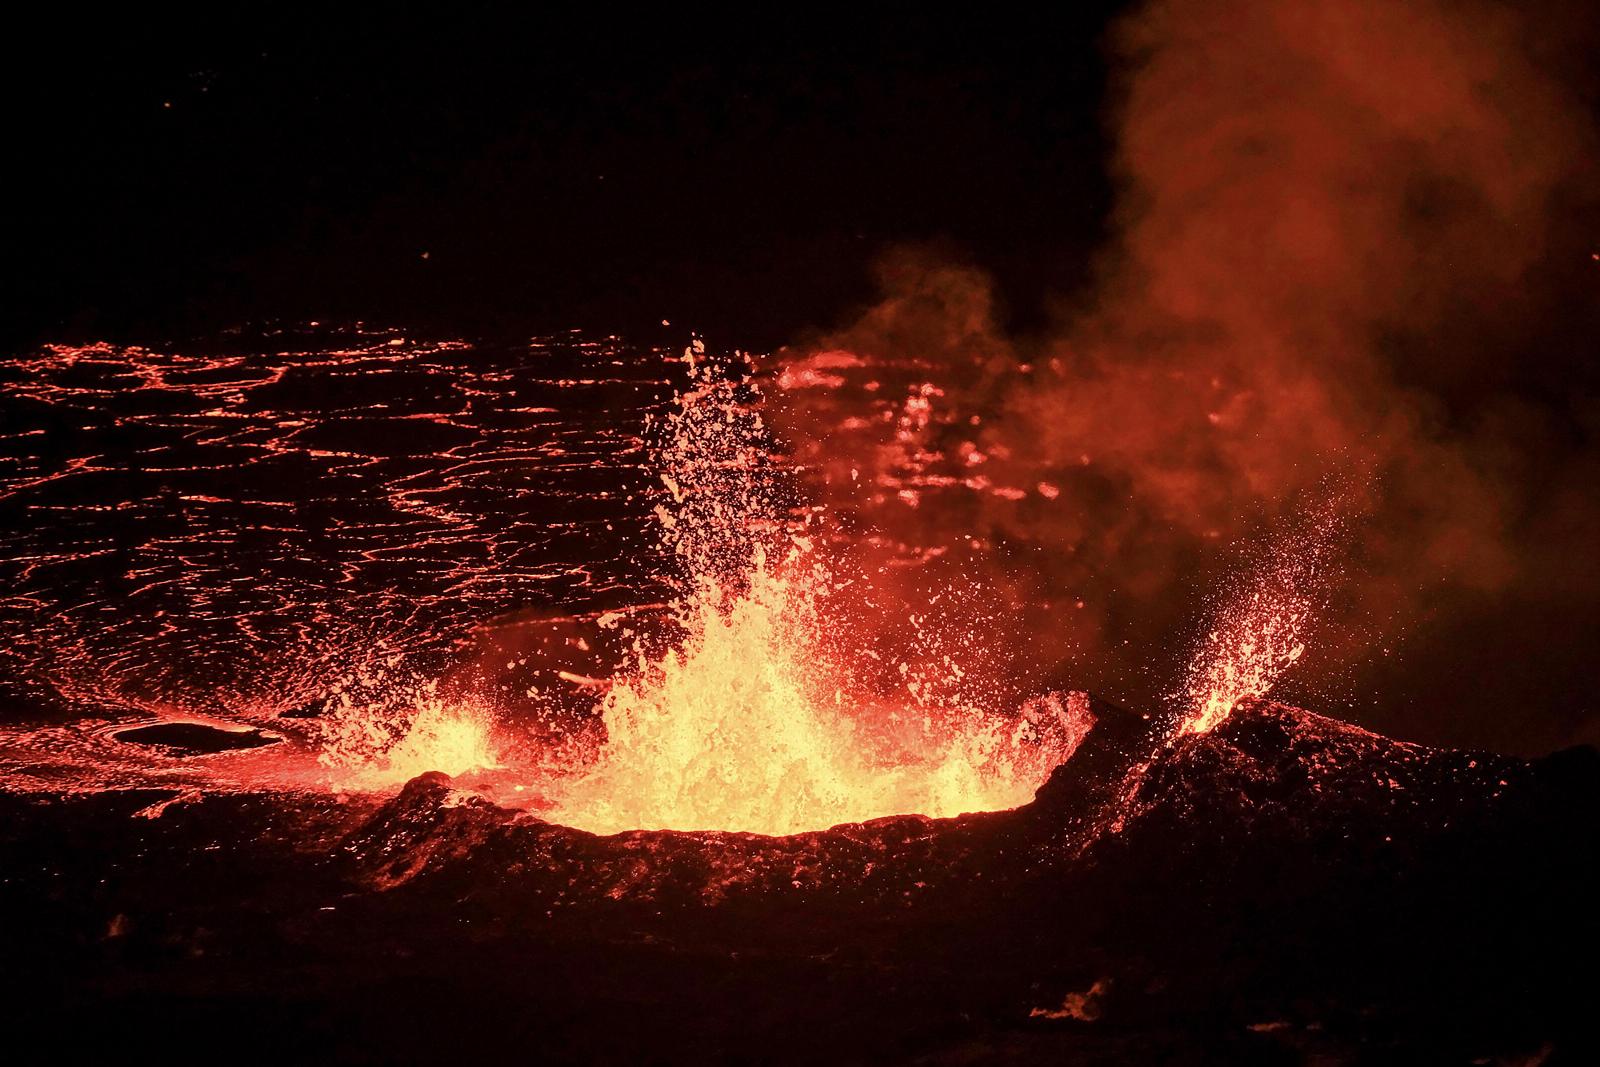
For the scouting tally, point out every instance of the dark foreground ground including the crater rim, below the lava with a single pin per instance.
(1286, 890)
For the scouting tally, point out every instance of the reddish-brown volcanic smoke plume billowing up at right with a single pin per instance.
(1340, 226)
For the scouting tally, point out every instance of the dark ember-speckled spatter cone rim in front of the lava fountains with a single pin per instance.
(1274, 793)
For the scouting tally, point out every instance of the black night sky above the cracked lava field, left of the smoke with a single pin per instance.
(566, 167)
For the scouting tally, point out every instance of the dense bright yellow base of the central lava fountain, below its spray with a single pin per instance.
(746, 729)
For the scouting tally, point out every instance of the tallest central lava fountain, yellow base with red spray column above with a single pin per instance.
(754, 721)
